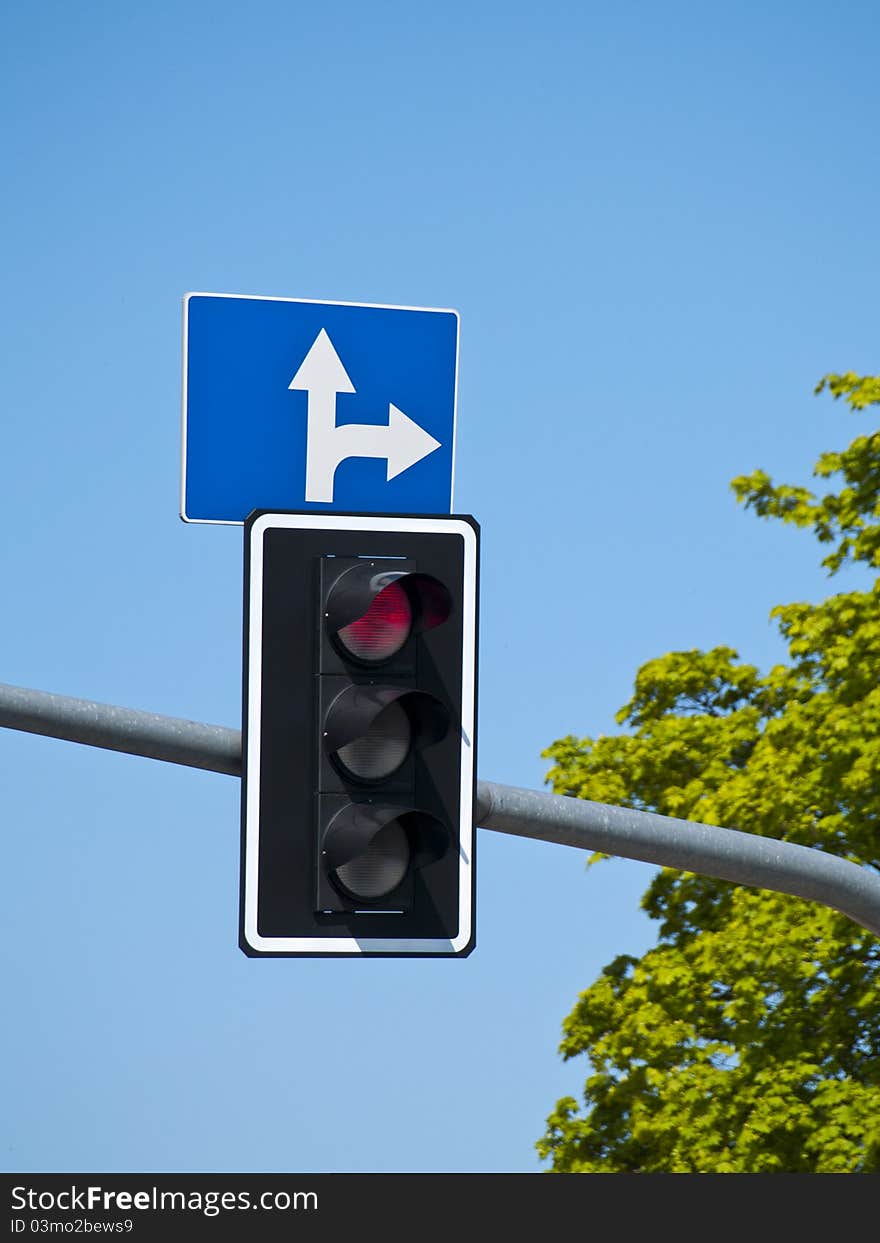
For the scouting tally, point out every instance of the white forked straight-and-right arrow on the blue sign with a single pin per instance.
(401, 442)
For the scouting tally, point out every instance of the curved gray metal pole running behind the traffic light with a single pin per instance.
(726, 855)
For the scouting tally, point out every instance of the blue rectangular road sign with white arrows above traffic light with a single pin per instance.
(291, 405)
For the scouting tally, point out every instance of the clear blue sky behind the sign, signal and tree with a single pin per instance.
(659, 226)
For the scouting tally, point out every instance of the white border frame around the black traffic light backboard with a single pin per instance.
(329, 947)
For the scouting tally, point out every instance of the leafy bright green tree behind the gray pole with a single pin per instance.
(749, 1039)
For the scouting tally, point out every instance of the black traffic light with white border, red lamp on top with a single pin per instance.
(359, 735)
